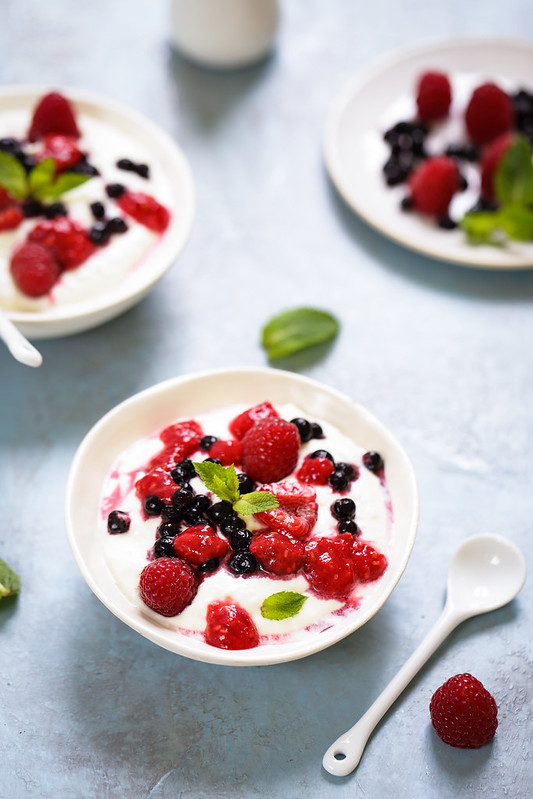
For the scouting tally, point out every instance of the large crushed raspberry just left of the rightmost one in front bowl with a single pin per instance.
(329, 566)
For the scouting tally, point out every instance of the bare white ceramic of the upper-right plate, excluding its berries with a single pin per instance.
(379, 97)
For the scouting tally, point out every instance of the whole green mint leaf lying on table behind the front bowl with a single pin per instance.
(298, 329)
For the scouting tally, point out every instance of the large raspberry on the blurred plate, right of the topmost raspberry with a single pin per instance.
(489, 113)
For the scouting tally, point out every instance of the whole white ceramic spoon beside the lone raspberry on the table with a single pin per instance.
(486, 572)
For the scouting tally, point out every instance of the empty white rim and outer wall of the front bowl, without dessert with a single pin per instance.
(157, 407)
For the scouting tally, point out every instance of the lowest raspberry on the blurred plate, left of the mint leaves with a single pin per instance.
(433, 184)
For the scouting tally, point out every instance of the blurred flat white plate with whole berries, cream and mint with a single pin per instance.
(433, 148)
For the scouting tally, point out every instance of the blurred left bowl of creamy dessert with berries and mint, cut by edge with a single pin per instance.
(96, 203)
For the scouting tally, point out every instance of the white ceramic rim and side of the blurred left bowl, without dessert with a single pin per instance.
(169, 160)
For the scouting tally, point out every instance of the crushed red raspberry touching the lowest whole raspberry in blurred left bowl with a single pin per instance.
(67, 240)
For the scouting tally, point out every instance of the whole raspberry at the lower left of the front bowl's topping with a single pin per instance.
(168, 585)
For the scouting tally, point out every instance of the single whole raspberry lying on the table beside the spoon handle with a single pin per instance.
(463, 712)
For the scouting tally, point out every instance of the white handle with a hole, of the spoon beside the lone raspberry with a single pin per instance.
(344, 755)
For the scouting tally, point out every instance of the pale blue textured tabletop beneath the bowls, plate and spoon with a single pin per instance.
(440, 353)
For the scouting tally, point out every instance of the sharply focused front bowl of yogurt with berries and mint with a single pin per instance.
(241, 516)
